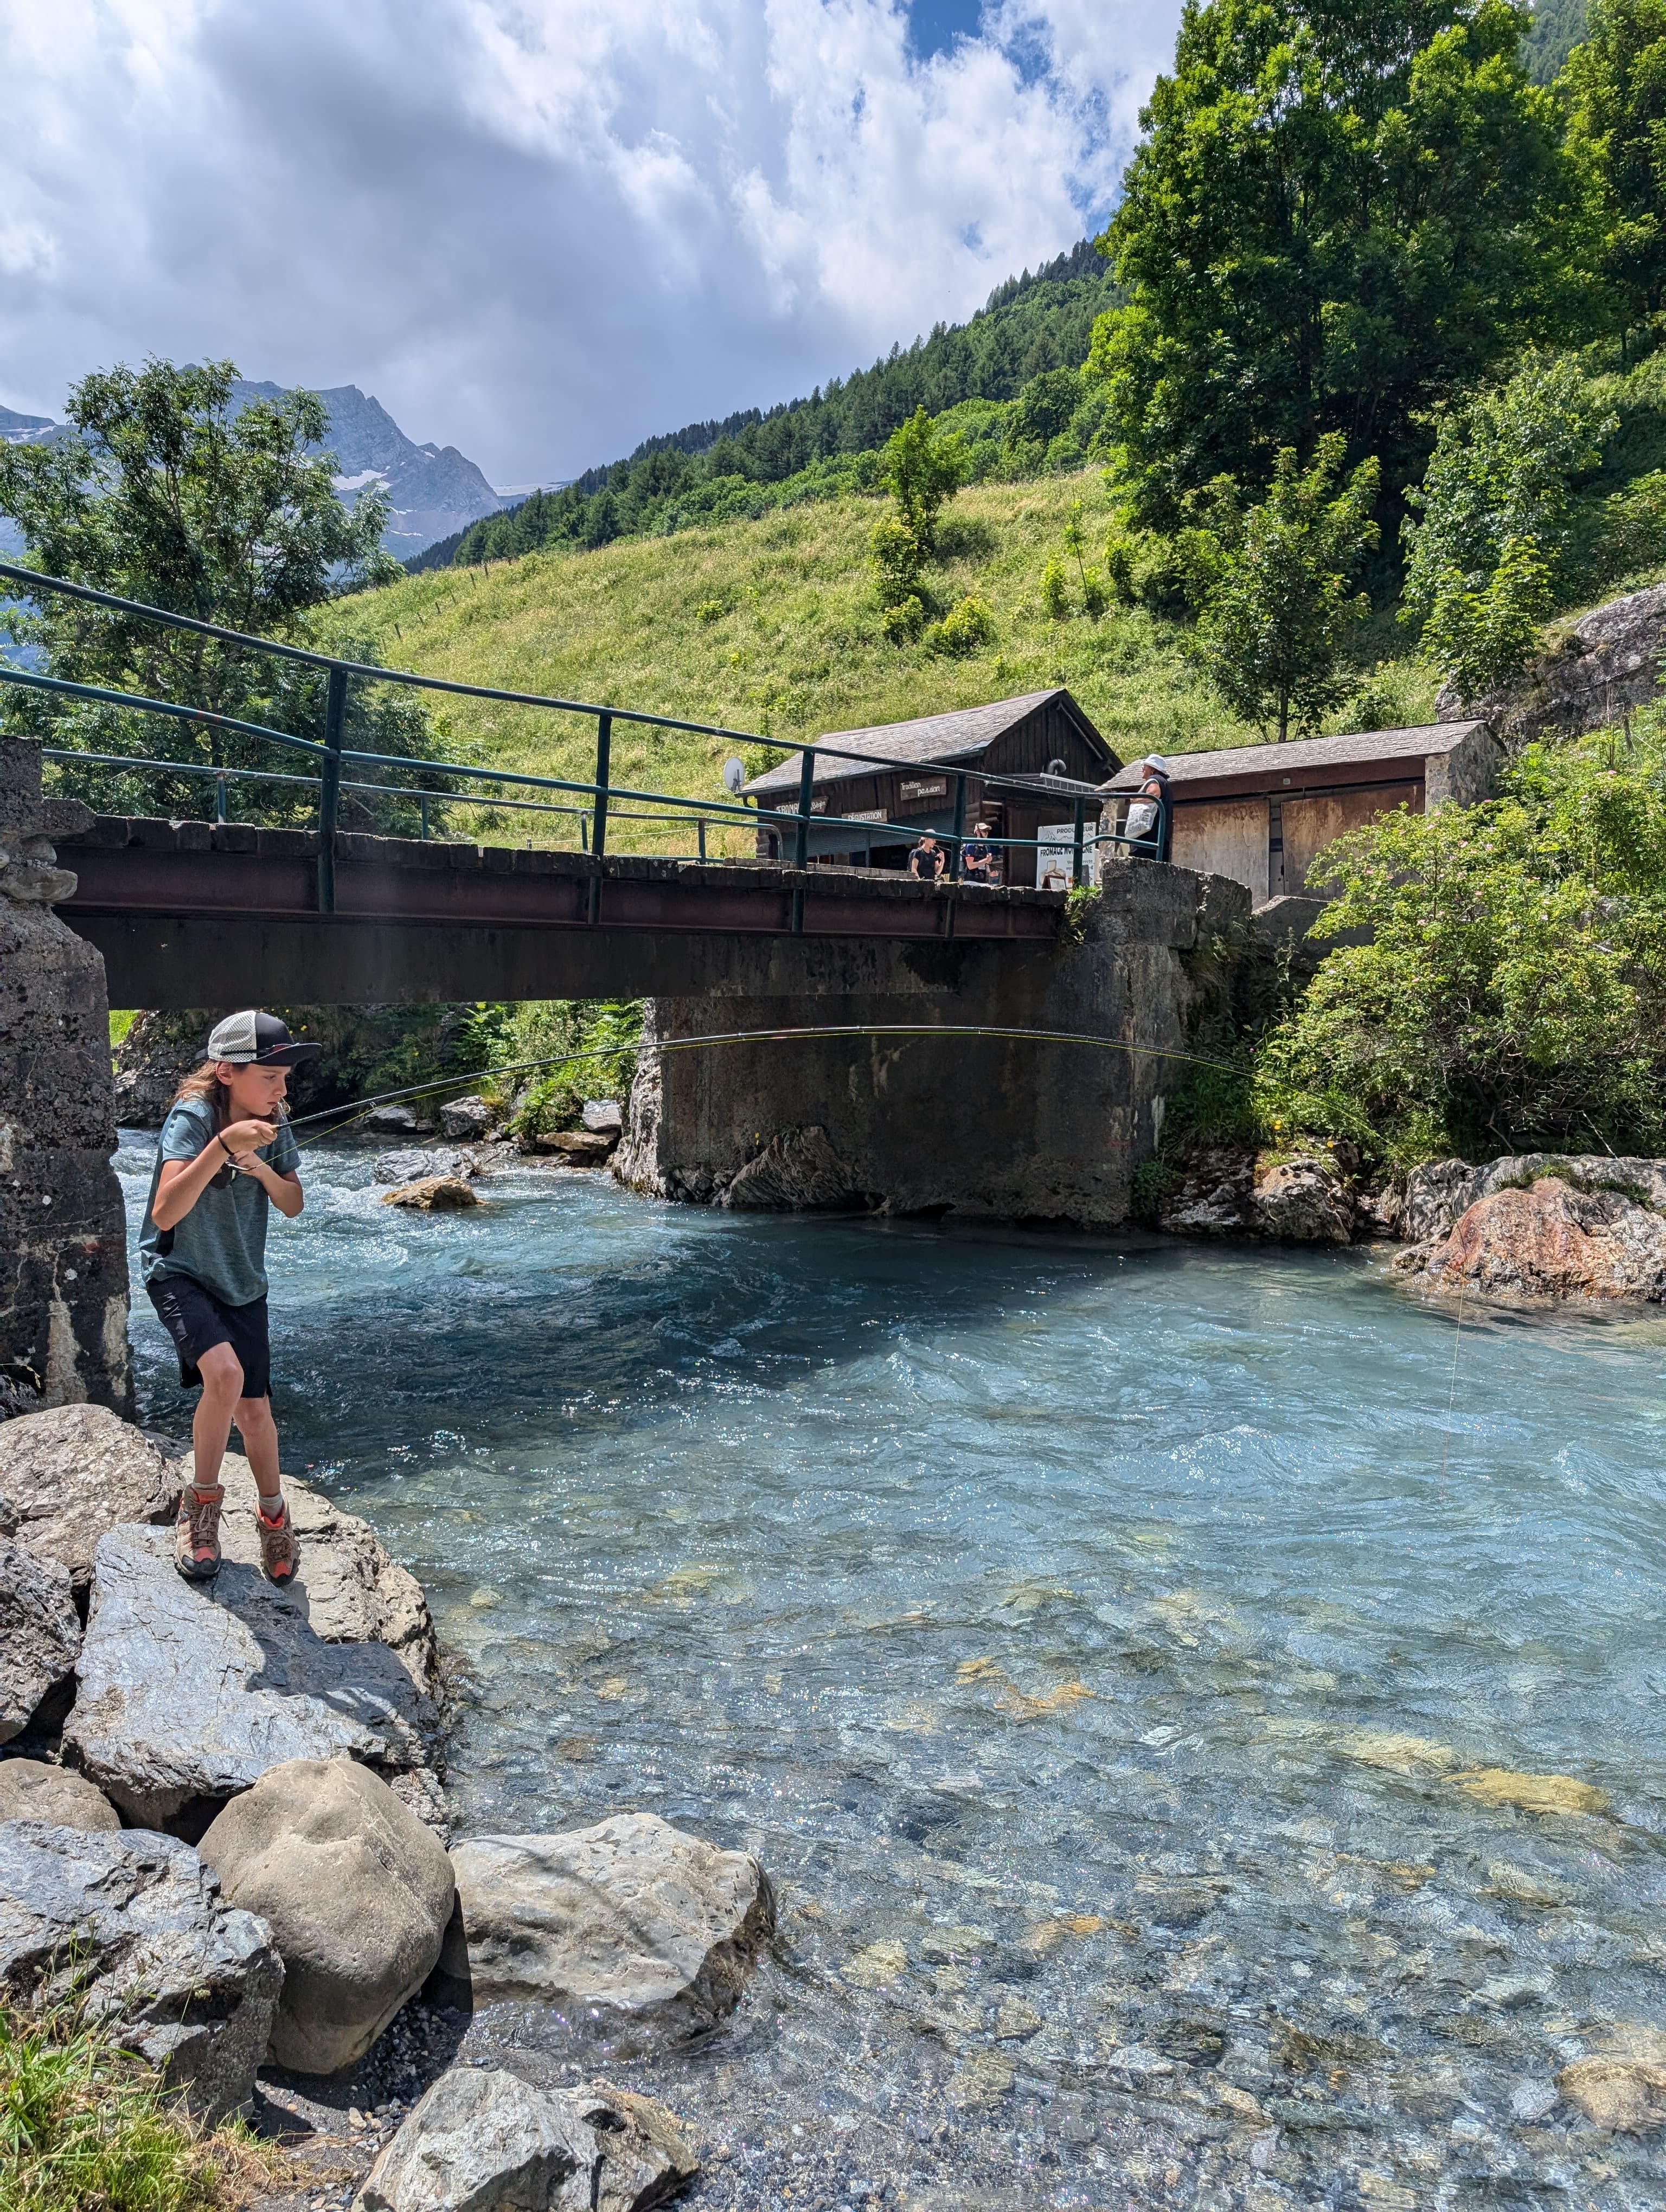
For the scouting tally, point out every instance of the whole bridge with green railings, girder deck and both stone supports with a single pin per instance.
(160, 910)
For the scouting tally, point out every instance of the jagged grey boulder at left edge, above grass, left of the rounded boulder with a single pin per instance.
(136, 1928)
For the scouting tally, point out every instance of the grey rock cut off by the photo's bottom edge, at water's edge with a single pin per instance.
(488, 2142)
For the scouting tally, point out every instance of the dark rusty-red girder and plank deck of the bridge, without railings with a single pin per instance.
(222, 915)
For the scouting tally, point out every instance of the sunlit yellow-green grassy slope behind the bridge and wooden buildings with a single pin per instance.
(773, 627)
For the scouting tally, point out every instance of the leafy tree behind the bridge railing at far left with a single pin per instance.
(165, 494)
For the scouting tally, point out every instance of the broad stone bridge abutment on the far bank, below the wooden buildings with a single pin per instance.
(977, 1127)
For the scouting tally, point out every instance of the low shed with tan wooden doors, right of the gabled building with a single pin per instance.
(1262, 815)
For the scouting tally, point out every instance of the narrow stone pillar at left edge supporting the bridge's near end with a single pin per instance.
(63, 1233)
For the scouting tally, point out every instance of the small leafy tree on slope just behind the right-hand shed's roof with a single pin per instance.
(1280, 609)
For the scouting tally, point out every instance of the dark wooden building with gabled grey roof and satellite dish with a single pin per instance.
(1034, 758)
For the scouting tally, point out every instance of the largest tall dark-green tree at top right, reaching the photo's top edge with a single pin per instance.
(1340, 216)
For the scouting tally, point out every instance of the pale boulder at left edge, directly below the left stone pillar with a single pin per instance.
(74, 1474)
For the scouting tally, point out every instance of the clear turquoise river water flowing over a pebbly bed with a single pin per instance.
(1092, 1638)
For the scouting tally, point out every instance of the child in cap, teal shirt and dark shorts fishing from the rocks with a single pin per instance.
(227, 1156)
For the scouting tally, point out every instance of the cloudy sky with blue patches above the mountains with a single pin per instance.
(543, 229)
